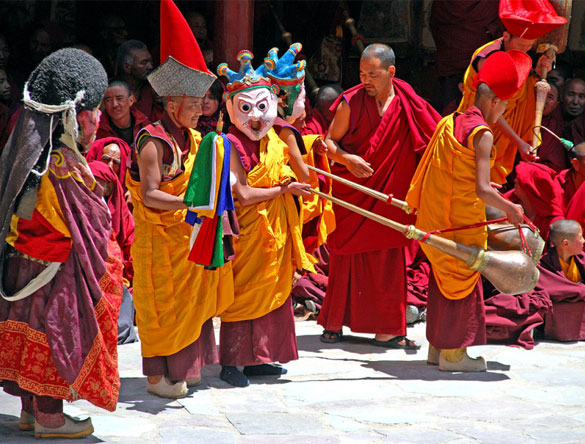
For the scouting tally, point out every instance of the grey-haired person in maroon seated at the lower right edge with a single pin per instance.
(562, 274)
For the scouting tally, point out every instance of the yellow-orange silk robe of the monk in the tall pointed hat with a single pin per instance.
(173, 296)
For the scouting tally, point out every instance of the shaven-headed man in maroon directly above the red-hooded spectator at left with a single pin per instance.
(119, 119)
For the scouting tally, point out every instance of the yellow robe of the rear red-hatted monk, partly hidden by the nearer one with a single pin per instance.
(519, 114)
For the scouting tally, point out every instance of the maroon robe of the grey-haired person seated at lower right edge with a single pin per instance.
(566, 320)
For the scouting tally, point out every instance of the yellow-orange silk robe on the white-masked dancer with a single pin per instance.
(270, 246)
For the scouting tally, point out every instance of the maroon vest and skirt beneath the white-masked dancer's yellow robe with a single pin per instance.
(269, 338)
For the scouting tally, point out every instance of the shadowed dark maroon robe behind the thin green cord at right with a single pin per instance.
(551, 151)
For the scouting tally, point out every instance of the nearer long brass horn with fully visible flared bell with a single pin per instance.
(511, 272)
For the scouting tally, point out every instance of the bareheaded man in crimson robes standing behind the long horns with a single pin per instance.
(379, 129)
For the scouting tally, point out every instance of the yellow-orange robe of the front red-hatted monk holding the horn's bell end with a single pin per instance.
(443, 191)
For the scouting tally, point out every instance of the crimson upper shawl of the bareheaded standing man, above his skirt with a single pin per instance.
(391, 145)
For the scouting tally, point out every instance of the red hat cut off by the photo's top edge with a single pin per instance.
(529, 19)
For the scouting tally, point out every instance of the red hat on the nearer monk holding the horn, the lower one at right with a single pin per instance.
(504, 72)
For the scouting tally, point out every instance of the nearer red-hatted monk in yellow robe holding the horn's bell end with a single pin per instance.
(457, 163)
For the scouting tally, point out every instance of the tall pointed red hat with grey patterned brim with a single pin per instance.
(183, 70)
